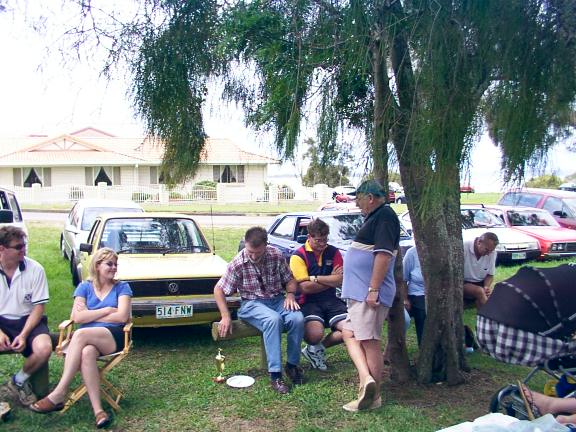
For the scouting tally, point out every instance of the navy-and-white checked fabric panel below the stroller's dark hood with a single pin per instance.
(516, 346)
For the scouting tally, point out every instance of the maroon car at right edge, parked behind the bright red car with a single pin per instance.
(559, 203)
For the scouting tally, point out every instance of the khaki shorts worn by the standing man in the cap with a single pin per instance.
(364, 321)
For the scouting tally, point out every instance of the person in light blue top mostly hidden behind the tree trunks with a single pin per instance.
(416, 300)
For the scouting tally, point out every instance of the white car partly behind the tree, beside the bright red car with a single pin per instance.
(513, 246)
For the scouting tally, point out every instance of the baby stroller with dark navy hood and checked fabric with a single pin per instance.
(530, 319)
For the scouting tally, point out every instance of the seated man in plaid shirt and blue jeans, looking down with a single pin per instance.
(259, 273)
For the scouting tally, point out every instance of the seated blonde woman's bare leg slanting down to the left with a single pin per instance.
(99, 337)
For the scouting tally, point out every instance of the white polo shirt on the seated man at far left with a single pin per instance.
(28, 288)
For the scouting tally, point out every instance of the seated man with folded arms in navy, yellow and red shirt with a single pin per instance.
(317, 266)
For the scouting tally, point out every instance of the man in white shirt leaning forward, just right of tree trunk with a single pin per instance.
(479, 267)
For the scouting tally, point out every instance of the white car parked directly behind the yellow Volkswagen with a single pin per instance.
(79, 222)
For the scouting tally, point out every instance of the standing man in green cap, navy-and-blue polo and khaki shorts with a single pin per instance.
(369, 288)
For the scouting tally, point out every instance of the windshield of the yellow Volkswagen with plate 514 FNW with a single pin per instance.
(153, 236)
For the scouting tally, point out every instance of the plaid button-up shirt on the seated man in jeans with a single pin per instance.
(264, 280)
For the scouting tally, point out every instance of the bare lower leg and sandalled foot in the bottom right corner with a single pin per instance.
(538, 404)
